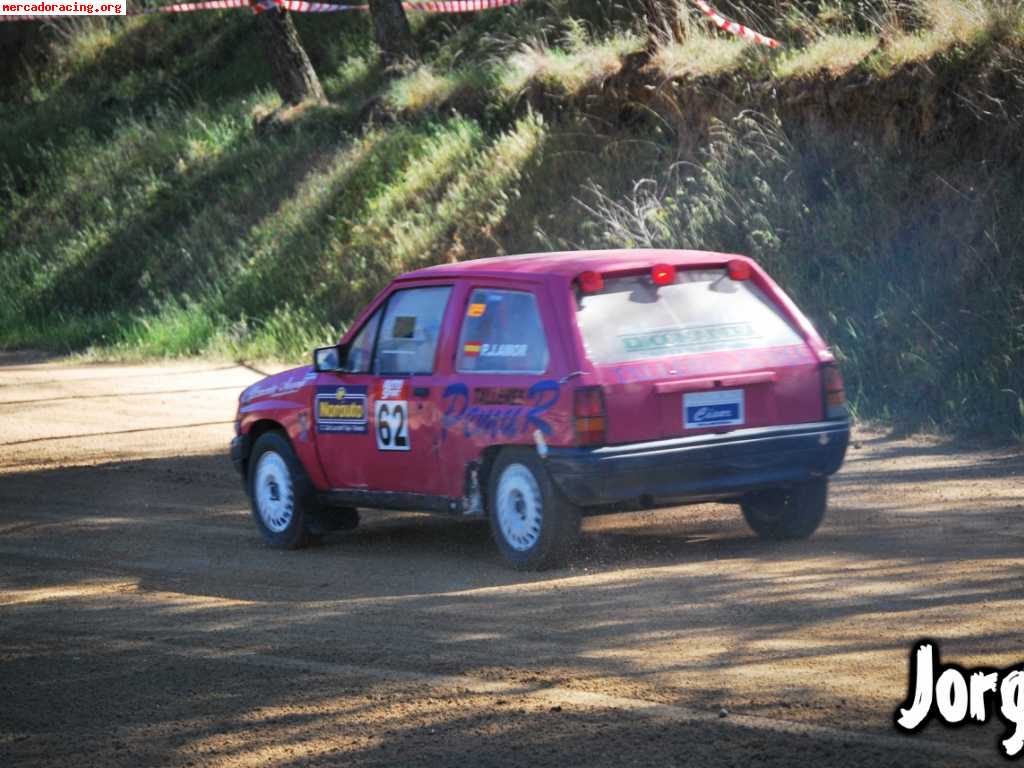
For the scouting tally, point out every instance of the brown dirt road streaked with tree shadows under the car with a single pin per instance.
(143, 622)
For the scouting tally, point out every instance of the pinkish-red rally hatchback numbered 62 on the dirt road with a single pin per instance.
(537, 390)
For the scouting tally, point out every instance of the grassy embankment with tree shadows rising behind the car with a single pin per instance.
(877, 176)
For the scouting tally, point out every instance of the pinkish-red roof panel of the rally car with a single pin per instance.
(568, 264)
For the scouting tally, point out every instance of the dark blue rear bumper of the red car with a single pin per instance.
(702, 468)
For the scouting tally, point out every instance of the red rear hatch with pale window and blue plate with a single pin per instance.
(687, 351)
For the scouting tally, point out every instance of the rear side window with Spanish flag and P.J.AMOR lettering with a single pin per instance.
(502, 333)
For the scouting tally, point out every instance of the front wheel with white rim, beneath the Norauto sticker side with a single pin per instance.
(290, 518)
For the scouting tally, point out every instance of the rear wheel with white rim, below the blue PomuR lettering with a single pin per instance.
(547, 527)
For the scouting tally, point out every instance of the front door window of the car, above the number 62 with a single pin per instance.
(410, 331)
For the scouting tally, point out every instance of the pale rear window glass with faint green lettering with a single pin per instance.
(703, 312)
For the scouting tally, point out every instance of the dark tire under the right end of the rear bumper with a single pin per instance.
(787, 514)
